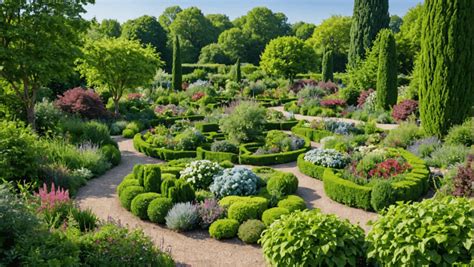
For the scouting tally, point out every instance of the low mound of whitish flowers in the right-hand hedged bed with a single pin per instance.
(327, 158)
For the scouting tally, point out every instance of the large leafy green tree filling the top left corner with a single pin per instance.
(38, 43)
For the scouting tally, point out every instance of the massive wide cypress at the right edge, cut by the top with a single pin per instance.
(447, 64)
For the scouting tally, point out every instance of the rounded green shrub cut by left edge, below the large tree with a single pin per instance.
(18, 151)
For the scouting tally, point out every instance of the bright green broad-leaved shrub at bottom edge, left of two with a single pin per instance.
(310, 238)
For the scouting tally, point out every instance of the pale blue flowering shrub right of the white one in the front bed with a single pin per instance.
(238, 181)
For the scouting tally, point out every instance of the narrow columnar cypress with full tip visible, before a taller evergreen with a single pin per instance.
(387, 71)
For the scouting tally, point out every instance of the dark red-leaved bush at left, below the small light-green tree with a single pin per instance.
(85, 103)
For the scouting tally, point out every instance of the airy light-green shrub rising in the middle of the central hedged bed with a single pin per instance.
(244, 123)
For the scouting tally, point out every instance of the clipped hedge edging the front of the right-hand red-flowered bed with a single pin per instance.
(414, 186)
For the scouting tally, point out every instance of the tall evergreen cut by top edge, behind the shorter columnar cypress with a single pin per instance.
(370, 16)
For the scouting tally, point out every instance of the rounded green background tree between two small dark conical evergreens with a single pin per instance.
(287, 56)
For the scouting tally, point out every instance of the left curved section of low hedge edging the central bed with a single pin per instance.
(159, 152)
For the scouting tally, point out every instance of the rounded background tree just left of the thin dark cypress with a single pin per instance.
(147, 30)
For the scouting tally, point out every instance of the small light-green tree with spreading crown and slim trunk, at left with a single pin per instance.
(116, 65)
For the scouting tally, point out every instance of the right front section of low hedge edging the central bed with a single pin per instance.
(247, 157)
